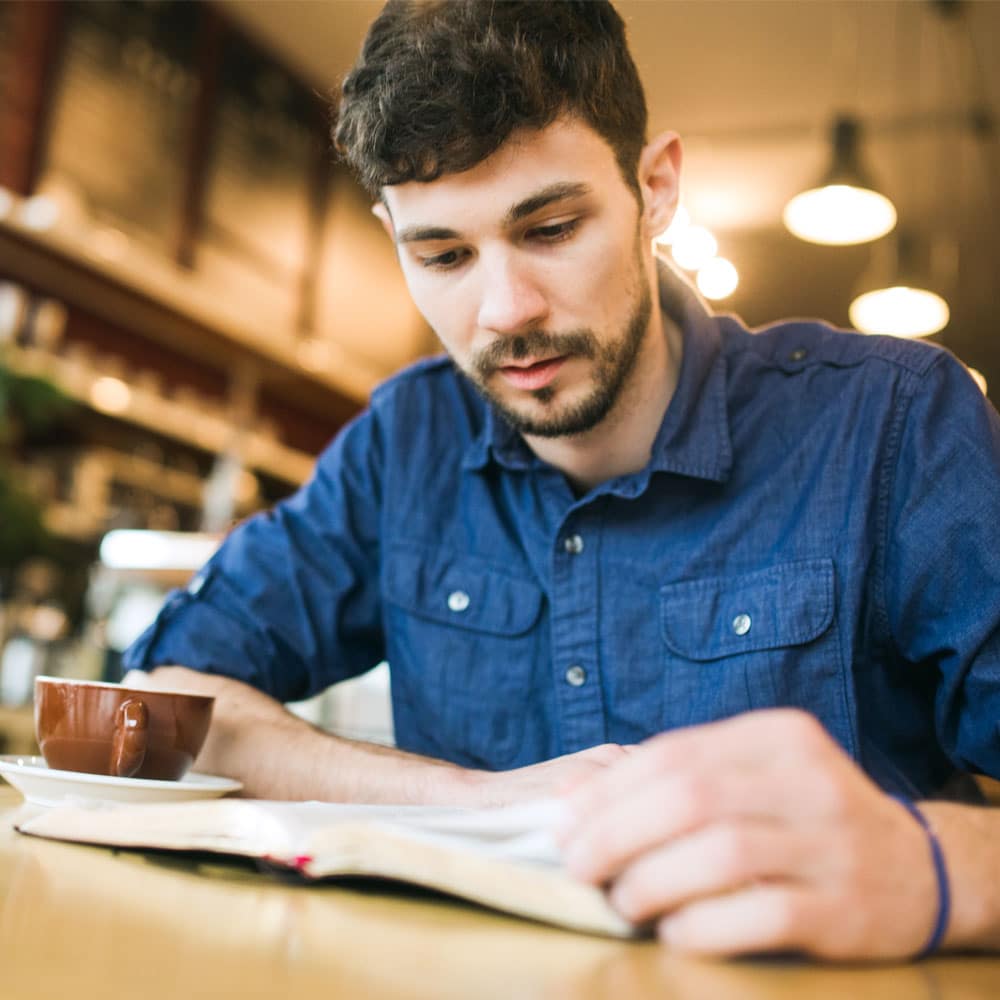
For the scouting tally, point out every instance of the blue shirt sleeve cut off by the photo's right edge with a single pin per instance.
(942, 558)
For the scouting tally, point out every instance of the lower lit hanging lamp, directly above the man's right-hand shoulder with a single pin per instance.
(902, 303)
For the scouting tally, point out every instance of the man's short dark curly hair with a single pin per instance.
(441, 84)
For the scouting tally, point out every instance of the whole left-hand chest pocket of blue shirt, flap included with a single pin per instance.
(463, 646)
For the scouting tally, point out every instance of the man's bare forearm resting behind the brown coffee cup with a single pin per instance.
(280, 756)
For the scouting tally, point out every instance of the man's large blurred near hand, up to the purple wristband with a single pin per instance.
(751, 835)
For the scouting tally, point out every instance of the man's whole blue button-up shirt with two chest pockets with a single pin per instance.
(816, 527)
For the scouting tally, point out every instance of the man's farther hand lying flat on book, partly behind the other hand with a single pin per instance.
(548, 779)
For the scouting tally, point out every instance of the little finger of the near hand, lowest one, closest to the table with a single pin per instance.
(760, 918)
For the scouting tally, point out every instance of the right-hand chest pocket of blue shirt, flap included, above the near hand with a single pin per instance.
(755, 640)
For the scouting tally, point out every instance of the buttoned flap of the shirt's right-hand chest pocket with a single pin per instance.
(784, 605)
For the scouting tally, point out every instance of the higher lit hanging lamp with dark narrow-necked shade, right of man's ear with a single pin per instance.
(844, 208)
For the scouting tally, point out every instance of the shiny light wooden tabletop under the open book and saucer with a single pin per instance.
(78, 923)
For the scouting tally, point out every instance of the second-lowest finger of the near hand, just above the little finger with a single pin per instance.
(712, 862)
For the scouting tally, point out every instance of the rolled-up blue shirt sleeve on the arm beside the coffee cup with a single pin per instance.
(290, 602)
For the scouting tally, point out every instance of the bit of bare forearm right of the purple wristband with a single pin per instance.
(970, 841)
